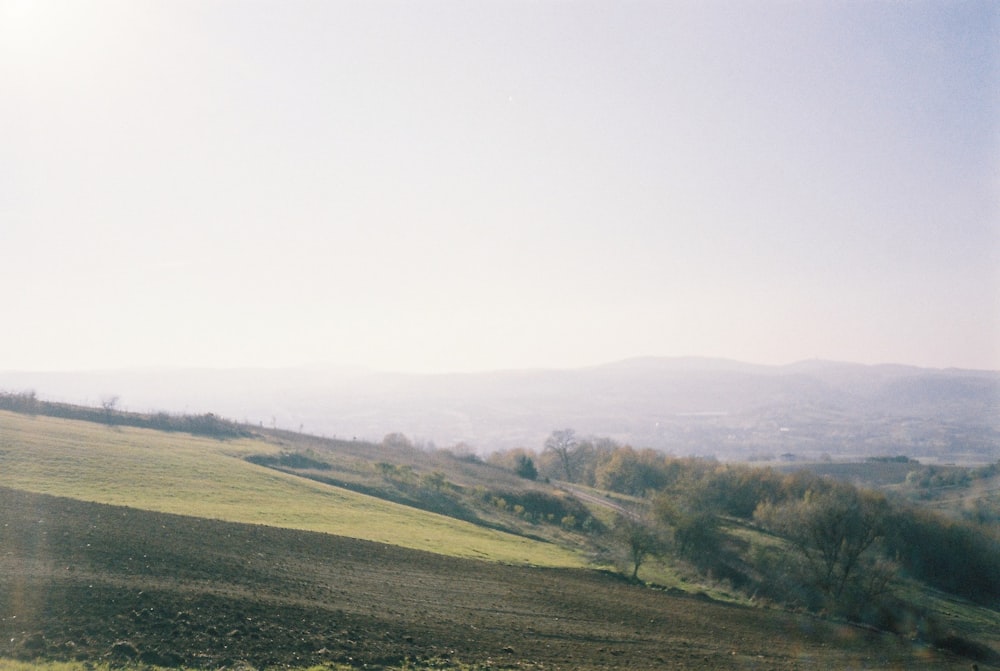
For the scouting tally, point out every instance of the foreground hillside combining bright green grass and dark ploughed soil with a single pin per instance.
(146, 549)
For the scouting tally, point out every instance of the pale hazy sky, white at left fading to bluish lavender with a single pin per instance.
(461, 185)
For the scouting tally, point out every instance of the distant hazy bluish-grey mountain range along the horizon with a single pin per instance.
(684, 406)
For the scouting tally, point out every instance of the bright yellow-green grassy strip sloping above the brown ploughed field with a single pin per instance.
(204, 477)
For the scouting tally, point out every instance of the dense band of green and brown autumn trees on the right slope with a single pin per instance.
(821, 544)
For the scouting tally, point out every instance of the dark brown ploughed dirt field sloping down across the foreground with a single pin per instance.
(94, 582)
